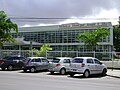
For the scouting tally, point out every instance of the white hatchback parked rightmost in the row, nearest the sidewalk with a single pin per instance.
(87, 66)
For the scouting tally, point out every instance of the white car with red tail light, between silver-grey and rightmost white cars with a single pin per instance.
(59, 64)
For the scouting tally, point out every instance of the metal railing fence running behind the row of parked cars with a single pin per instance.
(30, 53)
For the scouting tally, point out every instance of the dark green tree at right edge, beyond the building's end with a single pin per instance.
(116, 36)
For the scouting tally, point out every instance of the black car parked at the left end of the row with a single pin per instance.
(12, 62)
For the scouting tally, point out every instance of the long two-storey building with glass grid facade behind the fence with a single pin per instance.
(63, 37)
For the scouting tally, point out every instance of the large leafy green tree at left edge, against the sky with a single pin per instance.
(6, 26)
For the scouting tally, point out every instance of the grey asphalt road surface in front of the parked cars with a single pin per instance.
(43, 80)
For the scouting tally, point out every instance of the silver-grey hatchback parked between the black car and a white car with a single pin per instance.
(34, 64)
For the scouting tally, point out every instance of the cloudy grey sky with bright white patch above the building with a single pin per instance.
(79, 10)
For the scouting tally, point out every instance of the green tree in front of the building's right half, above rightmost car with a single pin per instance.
(92, 38)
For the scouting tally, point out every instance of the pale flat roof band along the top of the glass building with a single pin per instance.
(69, 26)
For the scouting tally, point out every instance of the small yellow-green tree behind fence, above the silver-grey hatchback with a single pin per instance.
(42, 51)
